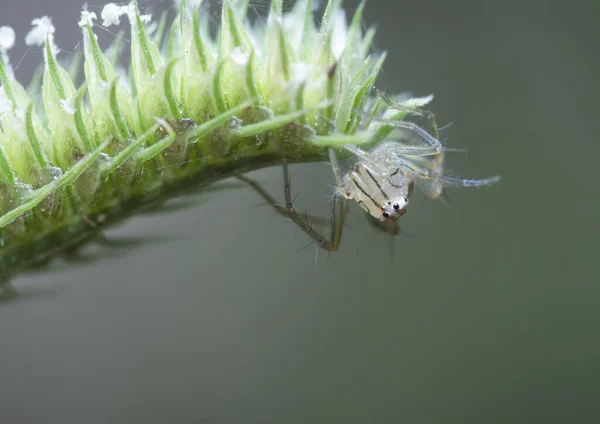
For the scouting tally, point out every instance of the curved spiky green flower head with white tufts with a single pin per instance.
(191, 109)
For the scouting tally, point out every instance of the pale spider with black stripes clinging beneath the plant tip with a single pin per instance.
(382, 178)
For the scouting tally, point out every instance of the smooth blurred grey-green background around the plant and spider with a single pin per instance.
(488, 313)
